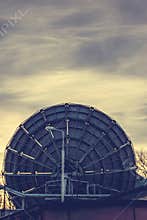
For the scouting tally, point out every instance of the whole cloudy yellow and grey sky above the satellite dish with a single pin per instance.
(81, 51)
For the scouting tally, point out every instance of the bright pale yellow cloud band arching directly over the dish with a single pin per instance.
(110, 94)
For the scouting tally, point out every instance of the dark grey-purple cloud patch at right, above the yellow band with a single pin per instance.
(108, 54)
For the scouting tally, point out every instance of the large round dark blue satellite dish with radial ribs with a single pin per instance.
(70, 149)
